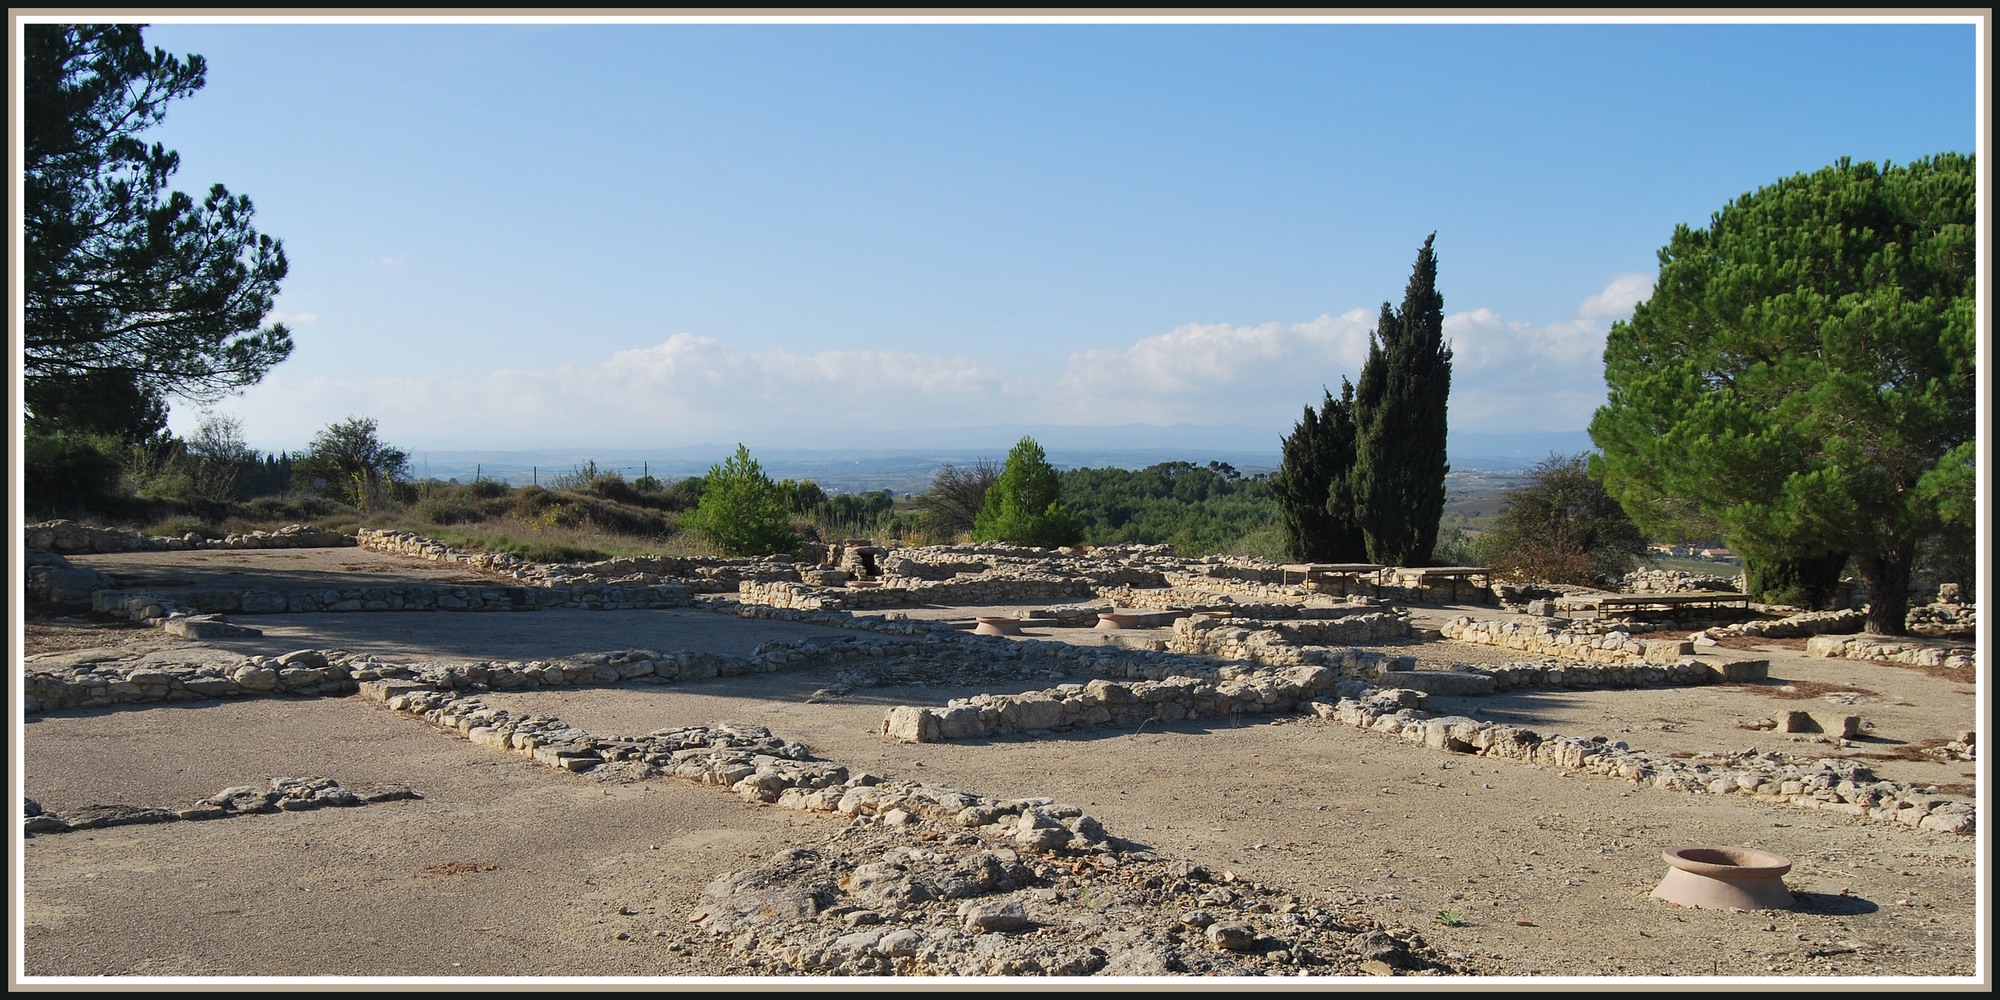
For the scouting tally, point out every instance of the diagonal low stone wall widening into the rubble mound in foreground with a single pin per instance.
(937, 881)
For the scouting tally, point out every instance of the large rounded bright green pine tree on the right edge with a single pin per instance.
(1805, 373)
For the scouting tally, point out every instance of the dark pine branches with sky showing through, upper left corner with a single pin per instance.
(131, 289)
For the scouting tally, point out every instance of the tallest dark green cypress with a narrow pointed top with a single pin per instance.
(1399, 423)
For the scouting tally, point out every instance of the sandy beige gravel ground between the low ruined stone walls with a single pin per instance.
(509, 869)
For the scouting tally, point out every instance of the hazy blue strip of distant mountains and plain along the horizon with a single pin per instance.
(919, 455)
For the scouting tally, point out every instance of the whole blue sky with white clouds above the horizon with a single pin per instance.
(651, 235)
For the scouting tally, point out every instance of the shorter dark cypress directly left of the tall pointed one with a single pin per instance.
(1313, 485)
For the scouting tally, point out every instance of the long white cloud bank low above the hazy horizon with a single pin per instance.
(695, 389)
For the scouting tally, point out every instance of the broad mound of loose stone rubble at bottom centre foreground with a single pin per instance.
(929, 893)
